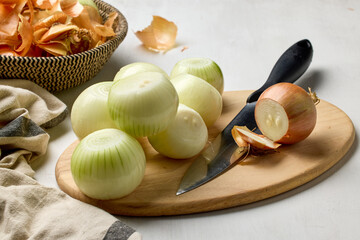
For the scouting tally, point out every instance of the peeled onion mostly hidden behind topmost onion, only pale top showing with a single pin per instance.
(137, 67)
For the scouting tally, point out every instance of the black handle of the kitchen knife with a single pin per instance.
(290, 66)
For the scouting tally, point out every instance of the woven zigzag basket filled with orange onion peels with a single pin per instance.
(57, 44)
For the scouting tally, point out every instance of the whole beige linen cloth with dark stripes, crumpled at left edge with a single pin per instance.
(29, 210)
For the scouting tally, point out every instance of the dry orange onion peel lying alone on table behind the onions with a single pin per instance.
(160, 35)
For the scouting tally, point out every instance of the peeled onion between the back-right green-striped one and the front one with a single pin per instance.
(199, 95)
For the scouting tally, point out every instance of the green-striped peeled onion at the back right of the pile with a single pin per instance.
(203, 68)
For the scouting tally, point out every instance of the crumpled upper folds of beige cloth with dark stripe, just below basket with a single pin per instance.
(25, 109)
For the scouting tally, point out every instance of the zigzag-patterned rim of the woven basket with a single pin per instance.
(120, 35)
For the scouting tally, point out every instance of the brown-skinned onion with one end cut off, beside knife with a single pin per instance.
(285, 113)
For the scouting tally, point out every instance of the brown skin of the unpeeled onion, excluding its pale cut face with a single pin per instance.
(299, 107)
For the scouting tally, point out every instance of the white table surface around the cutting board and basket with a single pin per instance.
(246, 38)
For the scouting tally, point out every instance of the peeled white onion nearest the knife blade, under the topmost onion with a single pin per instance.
(185, 137)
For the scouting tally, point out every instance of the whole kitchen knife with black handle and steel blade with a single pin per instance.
(222, 154)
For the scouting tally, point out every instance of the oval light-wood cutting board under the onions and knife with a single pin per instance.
(255, 179)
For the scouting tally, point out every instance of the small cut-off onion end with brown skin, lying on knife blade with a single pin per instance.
(243, 135)
